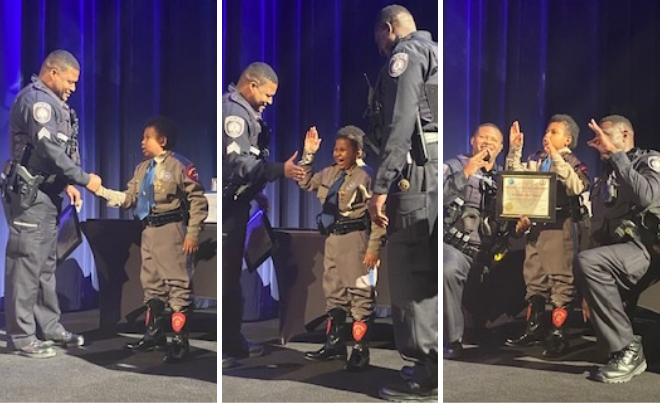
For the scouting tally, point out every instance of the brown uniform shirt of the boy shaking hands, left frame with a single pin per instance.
(175, 183)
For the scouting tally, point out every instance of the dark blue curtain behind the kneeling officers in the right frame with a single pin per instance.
(507, 60)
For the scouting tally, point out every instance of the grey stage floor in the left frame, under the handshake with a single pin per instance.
(104, 371)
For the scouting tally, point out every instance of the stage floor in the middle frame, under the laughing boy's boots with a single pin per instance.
(283, 376)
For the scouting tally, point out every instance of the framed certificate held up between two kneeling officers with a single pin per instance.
(524, 193)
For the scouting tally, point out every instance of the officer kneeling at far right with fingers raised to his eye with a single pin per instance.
(629, 184)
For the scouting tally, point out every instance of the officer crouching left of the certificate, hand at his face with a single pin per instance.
(466, 182)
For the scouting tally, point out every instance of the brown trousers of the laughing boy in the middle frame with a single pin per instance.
(345, 281)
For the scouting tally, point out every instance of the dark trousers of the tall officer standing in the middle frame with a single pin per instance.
(413, 269)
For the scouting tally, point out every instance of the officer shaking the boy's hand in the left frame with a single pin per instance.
(45, 163)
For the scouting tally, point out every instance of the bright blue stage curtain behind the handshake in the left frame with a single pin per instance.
(138, 58)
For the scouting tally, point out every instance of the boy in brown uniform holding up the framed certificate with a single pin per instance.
(551, 247)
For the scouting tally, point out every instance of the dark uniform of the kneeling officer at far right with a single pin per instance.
(630, 184)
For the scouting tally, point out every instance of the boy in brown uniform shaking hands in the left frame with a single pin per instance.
(169, 200)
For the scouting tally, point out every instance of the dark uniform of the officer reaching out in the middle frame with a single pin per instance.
(243, 163)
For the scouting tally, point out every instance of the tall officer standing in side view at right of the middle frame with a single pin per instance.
(412, 63)
